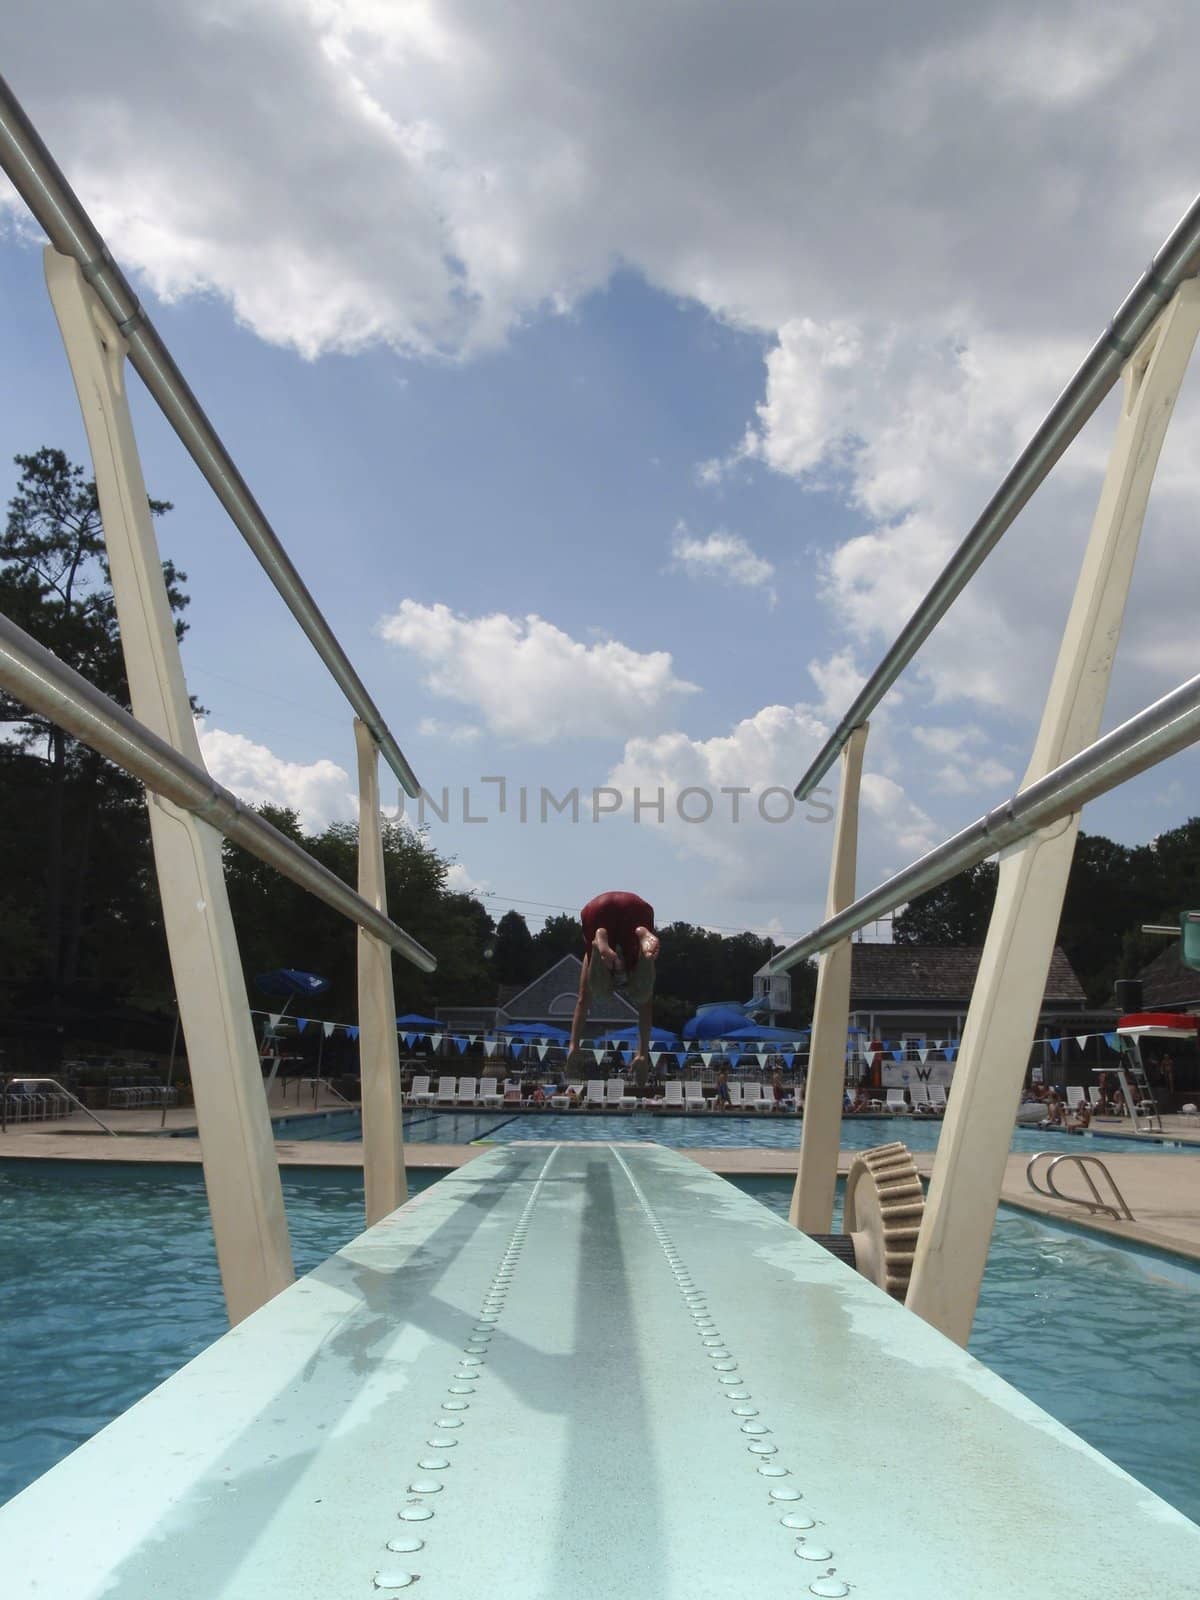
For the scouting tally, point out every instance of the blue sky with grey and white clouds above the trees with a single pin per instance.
(713, 422)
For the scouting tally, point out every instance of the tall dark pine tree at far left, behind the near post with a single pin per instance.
(92, 836)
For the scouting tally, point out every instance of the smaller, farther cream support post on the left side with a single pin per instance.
(385, 1183)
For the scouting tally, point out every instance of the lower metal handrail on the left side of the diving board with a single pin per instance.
(41, 681)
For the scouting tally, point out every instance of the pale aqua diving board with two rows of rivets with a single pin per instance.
(588, 1372)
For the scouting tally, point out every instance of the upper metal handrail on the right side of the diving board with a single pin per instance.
(1100, 370)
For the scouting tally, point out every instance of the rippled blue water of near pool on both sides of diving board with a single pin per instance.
(108, 1284)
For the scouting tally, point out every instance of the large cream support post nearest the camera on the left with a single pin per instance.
(239, 1156)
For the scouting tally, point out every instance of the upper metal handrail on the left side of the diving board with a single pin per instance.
(71, 231)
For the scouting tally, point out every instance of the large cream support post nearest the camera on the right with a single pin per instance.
(977, 1135)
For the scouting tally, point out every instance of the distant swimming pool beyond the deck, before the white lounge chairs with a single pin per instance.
(687, 1134)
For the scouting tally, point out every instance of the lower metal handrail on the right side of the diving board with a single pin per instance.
(1156, 734)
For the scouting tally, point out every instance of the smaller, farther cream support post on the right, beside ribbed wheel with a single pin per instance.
(822, 1130)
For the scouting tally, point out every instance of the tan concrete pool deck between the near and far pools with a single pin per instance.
(1162, 1191)
